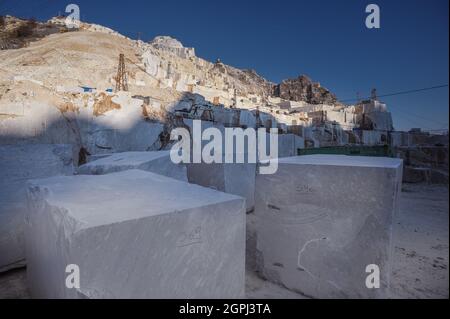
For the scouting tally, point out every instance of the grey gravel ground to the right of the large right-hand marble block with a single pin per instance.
(420, 268)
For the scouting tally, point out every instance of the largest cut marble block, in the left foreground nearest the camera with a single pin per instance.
(134, 234)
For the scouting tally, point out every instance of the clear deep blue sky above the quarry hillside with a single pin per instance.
(326, 40)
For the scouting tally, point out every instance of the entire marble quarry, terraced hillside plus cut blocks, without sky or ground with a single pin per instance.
(140, 226)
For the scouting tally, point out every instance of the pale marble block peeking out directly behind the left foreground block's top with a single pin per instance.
(157, 162)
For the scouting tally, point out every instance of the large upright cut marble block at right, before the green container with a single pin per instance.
(321, 219)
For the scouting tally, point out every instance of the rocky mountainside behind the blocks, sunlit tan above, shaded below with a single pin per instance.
(59, 87)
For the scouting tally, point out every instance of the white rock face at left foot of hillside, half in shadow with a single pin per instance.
(118, 130)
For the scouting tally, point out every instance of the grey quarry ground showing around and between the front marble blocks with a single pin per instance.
(421, 245)
